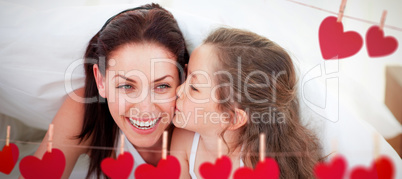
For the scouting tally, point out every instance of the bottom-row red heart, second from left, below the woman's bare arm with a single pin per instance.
(51, 166)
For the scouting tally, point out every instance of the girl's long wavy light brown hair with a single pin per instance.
(263, 84)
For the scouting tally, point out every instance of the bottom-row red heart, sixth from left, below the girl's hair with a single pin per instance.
(267, 169)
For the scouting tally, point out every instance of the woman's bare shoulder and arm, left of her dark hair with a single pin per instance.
(67, 125)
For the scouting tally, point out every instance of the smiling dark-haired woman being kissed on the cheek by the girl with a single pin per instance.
(131, 65)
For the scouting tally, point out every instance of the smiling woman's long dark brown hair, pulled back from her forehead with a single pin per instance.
(146, 24)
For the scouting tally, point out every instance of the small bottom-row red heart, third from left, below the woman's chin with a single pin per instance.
(120, 168)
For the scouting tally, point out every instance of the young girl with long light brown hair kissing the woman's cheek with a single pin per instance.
(240, 85)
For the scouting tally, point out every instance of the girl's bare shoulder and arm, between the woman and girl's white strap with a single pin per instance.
(180, 148)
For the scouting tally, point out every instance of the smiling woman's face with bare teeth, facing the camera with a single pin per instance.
(140, 84)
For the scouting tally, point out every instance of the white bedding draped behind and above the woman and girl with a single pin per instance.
(40, 43)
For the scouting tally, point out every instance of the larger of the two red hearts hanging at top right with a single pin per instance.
(336, 44)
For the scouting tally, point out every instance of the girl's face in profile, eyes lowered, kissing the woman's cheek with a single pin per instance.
(197, 103)
